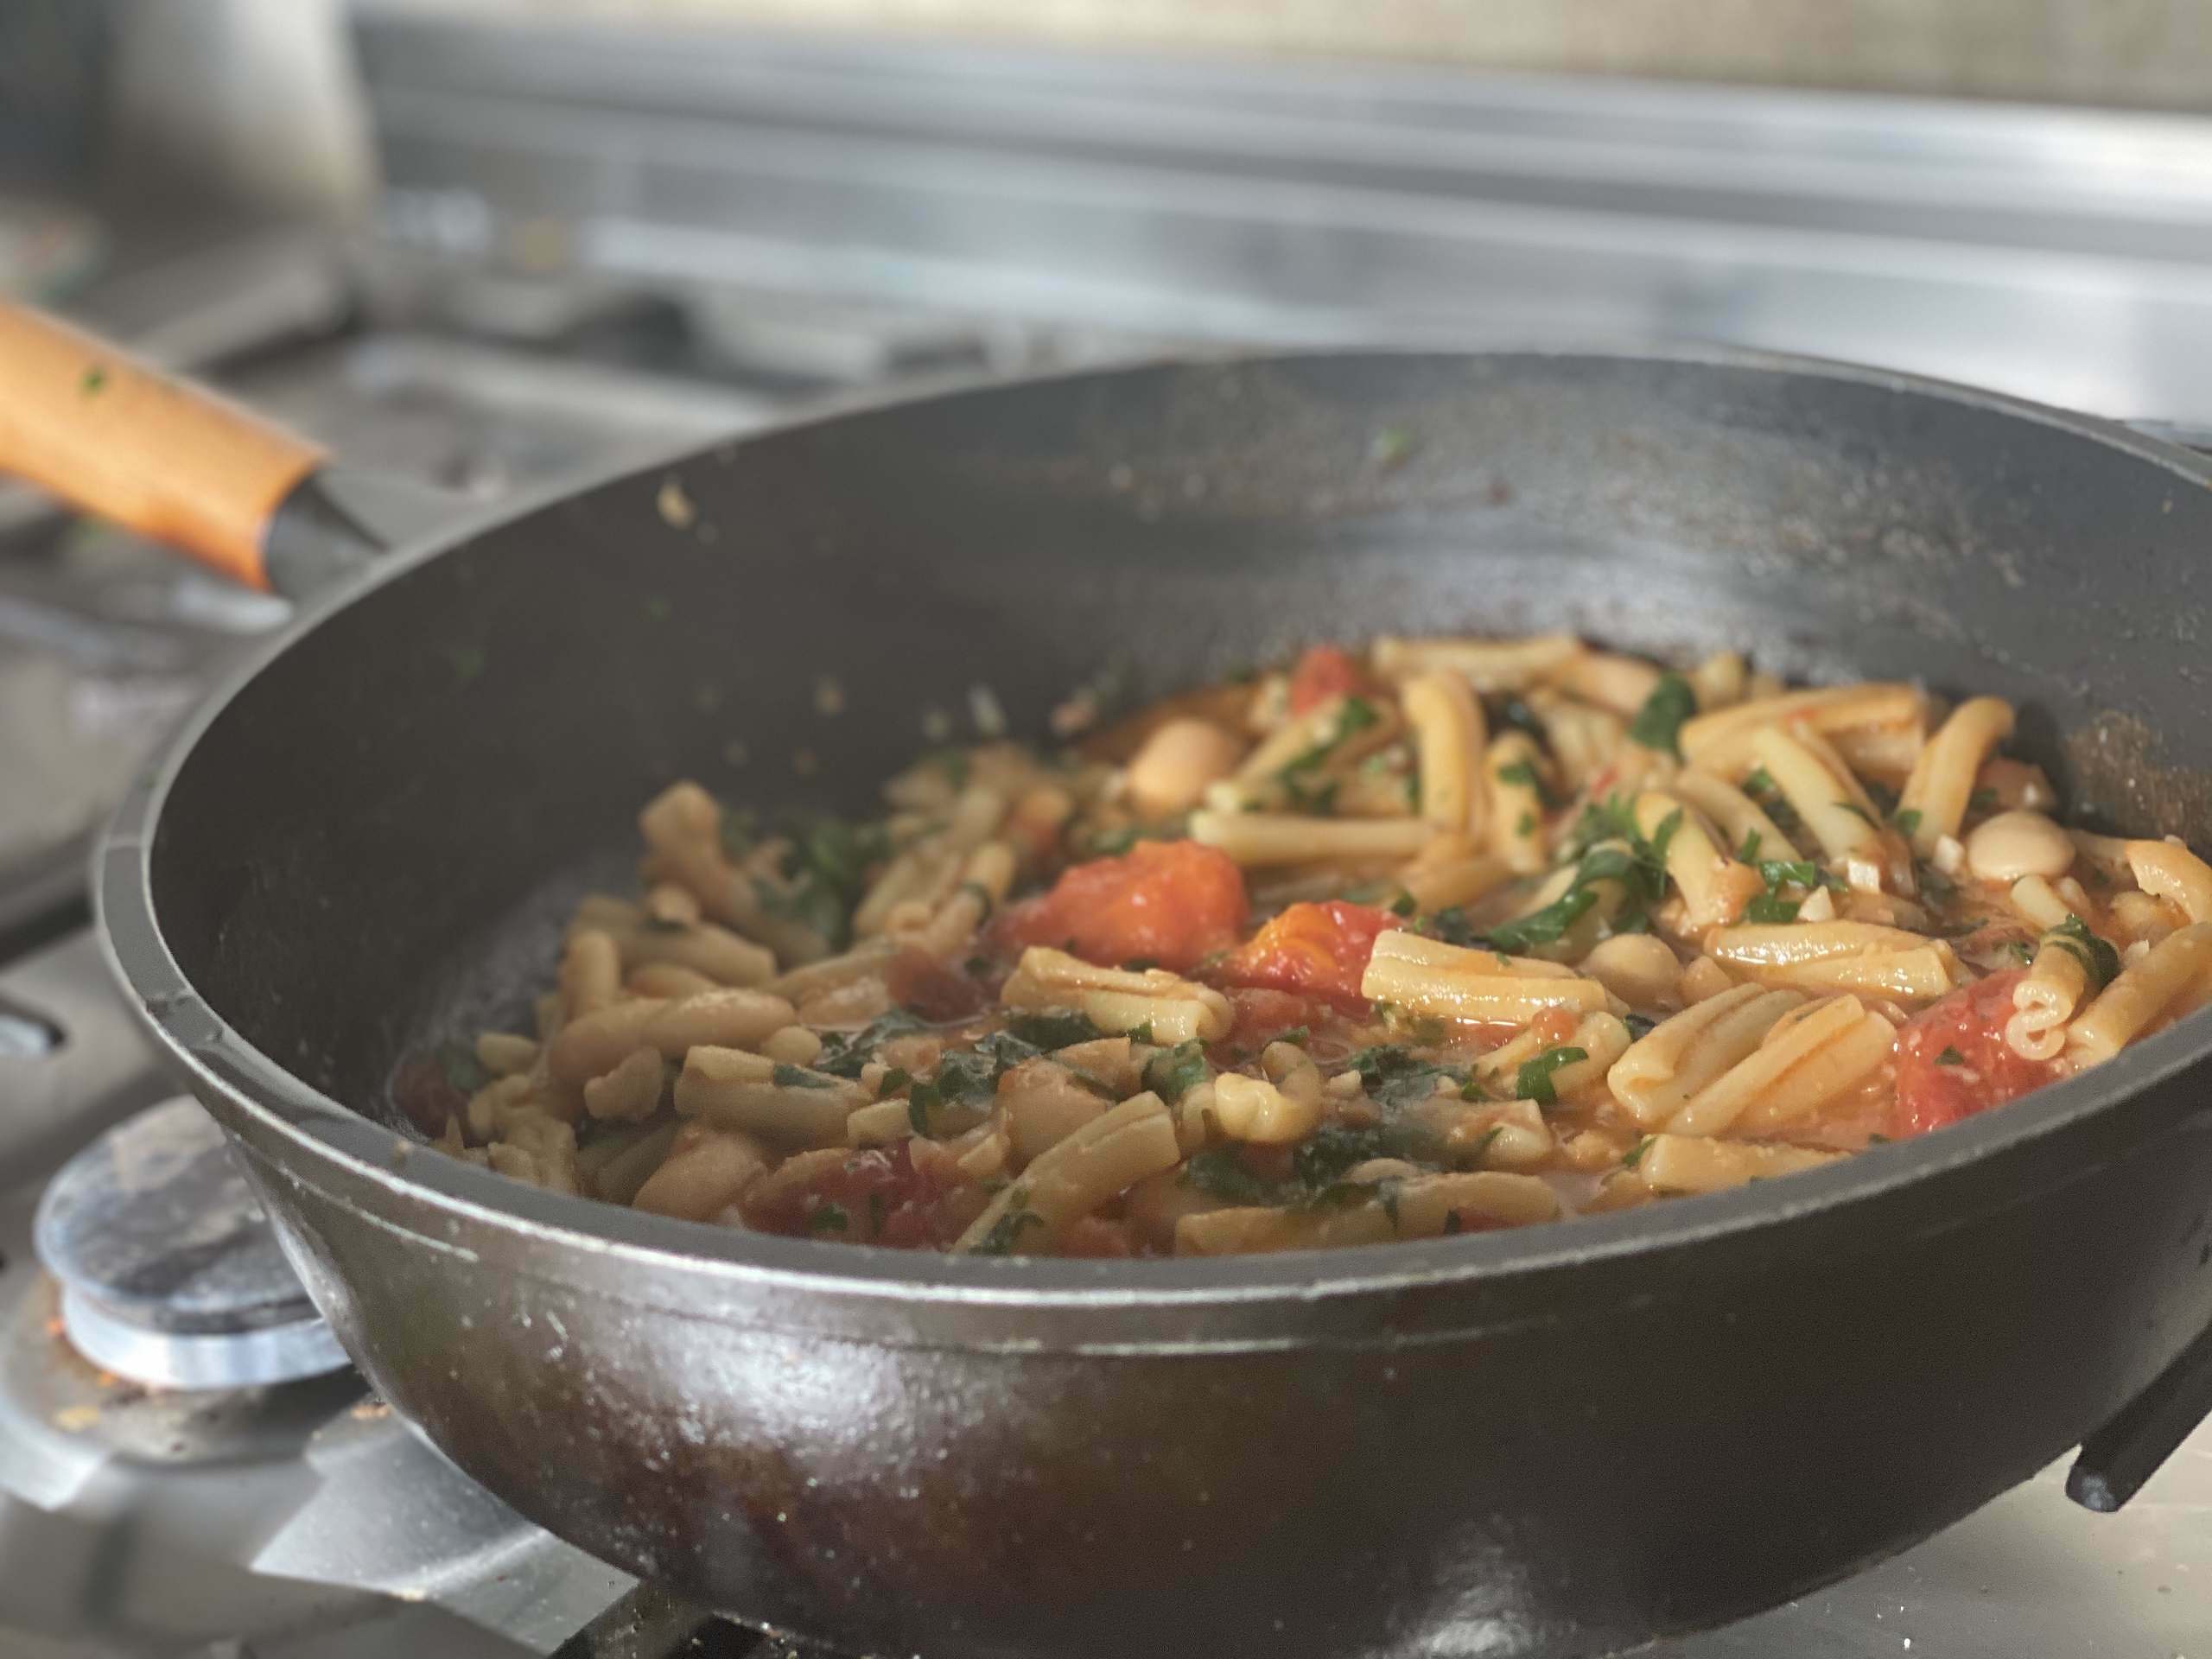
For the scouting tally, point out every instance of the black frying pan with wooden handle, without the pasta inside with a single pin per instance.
(1567, 1439)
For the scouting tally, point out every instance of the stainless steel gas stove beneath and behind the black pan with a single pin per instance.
(187, 1465)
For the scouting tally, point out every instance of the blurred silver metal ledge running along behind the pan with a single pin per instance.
(2058, 253)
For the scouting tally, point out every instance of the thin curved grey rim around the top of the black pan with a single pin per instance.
(351, 1147)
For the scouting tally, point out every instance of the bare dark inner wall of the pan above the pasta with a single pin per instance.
(373, 844)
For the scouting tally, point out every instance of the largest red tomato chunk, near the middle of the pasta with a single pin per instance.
(1162, 901)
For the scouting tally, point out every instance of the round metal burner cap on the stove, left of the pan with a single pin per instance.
(169, 1266)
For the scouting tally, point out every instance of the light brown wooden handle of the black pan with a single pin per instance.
(136, 448)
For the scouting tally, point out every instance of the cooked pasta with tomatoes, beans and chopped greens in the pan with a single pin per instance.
(1439, 937)
